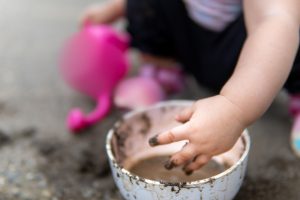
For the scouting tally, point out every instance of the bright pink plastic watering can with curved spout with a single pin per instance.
(93, 62)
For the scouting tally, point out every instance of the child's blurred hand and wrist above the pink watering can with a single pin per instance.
(107, 12)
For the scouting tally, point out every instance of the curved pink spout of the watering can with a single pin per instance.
(77, 121)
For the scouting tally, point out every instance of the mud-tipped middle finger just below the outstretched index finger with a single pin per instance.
(185, 155)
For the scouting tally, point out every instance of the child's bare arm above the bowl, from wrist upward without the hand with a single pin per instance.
(267, 55)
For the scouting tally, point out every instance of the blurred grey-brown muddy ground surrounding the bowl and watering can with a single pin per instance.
(40, 160)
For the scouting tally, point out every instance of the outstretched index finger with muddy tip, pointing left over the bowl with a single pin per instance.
(174, 135)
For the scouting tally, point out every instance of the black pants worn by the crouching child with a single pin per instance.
(163, 28)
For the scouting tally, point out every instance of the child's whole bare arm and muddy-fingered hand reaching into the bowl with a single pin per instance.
(214, 124)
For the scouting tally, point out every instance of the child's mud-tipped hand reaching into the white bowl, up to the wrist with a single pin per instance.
(212, 126)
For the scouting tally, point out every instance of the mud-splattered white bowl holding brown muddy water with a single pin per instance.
(138, 168)
